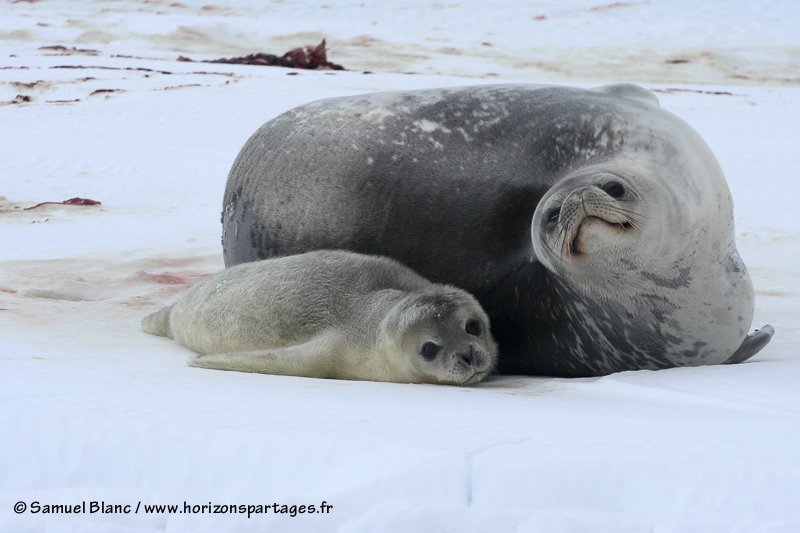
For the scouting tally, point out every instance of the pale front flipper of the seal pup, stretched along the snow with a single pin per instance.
(313, 359)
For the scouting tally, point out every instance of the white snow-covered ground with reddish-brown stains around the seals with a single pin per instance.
(93, 409)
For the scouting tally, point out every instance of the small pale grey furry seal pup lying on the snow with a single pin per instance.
(332, 314)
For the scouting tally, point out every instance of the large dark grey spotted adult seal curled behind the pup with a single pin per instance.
(594, 227)
